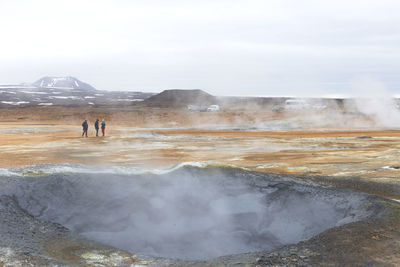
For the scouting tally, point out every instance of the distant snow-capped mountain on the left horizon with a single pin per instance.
(67, 82)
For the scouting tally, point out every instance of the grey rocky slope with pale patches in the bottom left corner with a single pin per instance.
(27, 241)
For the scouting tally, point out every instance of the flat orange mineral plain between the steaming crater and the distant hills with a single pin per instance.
(148, 138)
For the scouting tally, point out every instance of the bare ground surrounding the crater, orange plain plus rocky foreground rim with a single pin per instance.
(324, 148)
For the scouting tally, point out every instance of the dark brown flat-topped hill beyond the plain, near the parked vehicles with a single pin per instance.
(181, 98)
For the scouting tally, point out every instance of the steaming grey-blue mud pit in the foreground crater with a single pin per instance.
(189, 213)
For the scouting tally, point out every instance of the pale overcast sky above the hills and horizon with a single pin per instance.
(225, 47)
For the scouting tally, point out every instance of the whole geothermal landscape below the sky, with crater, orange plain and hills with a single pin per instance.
(183, 178)
